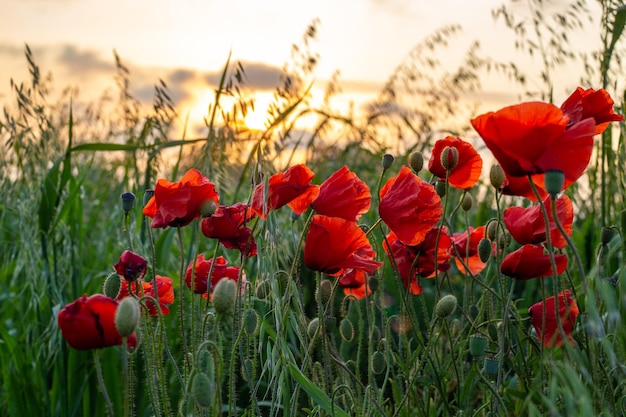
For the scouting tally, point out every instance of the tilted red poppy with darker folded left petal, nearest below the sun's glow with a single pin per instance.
(292, 188)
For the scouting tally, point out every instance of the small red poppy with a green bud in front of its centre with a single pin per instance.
(468, 168)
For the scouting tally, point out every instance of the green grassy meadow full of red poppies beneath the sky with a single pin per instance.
(461, 272)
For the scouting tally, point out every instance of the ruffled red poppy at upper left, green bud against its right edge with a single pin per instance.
(176, 204)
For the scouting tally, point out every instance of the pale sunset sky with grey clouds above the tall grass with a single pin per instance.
(186, 42)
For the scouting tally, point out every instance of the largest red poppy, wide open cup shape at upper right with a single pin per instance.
(535, 137)
